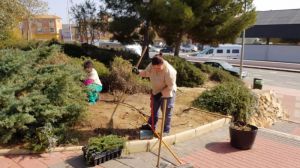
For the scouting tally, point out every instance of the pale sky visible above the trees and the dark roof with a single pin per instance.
(59, 7)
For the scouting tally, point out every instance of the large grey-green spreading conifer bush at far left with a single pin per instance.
(40, 94)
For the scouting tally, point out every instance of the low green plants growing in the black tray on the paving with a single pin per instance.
(103, 144)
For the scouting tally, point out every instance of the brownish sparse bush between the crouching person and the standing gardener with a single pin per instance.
(122, 79)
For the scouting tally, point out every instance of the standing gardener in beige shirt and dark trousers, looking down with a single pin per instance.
(163, 80)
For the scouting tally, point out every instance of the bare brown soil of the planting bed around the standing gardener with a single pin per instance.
(104, 118)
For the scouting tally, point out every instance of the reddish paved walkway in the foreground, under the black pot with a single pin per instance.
(211, 150)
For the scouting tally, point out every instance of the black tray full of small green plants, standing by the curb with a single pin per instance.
(101, 149)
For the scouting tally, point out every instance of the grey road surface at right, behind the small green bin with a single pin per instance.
(275, 78)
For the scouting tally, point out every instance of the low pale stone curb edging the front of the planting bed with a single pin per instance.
(138, 145)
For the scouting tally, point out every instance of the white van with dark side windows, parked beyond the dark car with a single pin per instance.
(229, 51)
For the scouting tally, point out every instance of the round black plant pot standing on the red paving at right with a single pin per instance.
(242, 139)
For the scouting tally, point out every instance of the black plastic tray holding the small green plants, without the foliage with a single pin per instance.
(101, 157)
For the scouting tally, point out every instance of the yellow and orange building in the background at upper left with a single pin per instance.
(42, 27)
